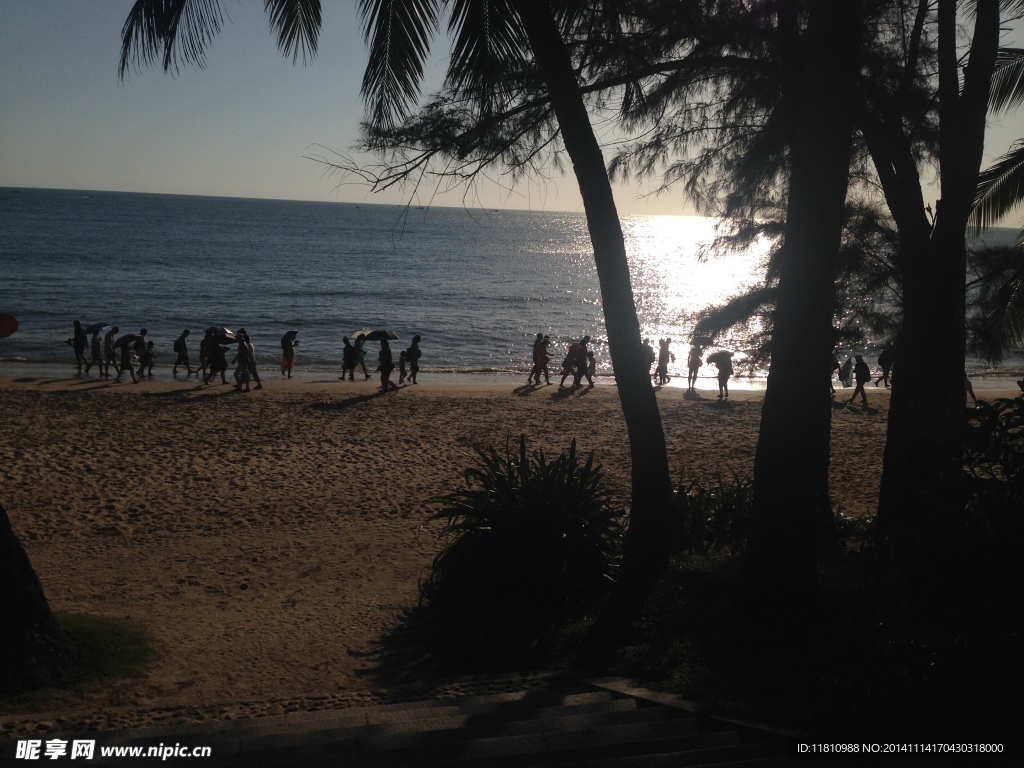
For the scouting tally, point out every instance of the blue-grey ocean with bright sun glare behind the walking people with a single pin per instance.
(477, 285)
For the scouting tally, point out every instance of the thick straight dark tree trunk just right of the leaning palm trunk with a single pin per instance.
(791, 468)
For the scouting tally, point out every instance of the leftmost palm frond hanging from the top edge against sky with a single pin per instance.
(174, 31)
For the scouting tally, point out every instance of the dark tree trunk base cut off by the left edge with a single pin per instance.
(33, 650)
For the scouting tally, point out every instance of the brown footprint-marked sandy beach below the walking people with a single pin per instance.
(268, 540)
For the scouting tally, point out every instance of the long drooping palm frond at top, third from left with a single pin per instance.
(398, 33)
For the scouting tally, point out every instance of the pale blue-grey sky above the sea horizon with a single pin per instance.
(243, 126)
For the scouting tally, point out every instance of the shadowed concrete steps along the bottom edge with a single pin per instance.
(579, 726)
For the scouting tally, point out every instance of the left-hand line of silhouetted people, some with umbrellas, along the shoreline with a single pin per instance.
(125, 353)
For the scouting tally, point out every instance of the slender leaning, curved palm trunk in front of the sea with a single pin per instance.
(649, 543)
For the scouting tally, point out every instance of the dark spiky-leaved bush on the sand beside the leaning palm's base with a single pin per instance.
(529, 540)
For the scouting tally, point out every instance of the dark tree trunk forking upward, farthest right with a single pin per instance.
(922, 479)
